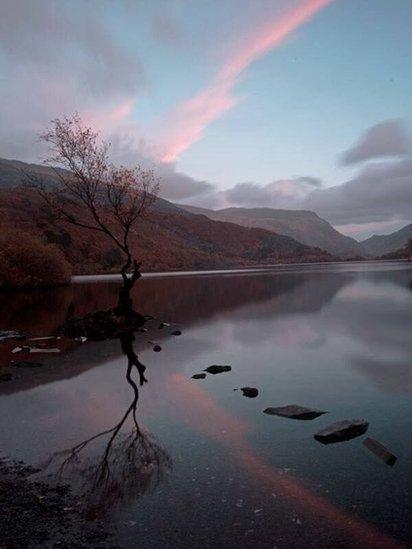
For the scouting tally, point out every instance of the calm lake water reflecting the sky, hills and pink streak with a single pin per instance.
(210, 469)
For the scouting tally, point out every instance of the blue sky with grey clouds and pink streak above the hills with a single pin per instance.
(297, 104)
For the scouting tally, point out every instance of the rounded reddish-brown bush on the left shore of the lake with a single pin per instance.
(27, 261)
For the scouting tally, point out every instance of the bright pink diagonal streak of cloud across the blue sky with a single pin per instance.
(188, 120)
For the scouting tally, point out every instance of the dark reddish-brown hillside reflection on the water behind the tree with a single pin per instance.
(184, 300)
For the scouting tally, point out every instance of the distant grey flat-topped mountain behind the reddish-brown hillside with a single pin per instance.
(305, 226)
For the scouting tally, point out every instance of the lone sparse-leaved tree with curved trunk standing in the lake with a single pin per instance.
(93, 194)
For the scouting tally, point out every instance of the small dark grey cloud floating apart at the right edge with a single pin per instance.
(389, 138)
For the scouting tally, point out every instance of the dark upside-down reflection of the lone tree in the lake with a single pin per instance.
(131, 464)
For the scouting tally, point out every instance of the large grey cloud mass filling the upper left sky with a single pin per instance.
(60, 56)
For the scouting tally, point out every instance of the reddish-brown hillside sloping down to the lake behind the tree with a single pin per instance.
(167, 238)
